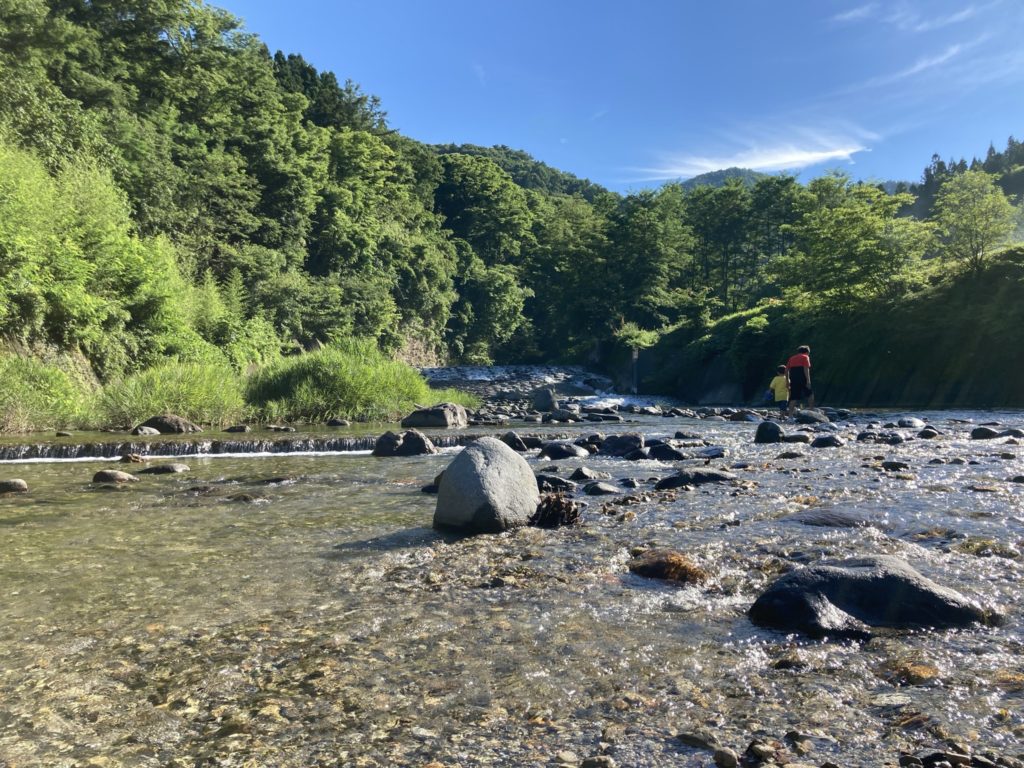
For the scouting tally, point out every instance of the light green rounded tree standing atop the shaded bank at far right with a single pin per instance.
(973, 217)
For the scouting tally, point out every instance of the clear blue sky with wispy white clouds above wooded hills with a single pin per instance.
(633, 95)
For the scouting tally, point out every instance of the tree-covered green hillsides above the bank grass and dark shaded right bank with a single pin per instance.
(170, 190)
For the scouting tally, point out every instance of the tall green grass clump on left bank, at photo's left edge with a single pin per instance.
(36, 397)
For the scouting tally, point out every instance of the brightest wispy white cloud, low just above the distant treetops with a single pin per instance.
(802, 150)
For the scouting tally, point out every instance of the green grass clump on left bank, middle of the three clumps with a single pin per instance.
(203, 393)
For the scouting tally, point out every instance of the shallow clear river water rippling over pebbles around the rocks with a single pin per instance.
(298, 611)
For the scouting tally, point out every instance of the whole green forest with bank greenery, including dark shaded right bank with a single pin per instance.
(183, 211)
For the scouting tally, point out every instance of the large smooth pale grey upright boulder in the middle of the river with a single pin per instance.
(487, 489)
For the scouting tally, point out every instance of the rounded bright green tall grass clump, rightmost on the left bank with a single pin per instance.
(353, 379)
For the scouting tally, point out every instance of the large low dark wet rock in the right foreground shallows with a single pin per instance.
(851, 598)
